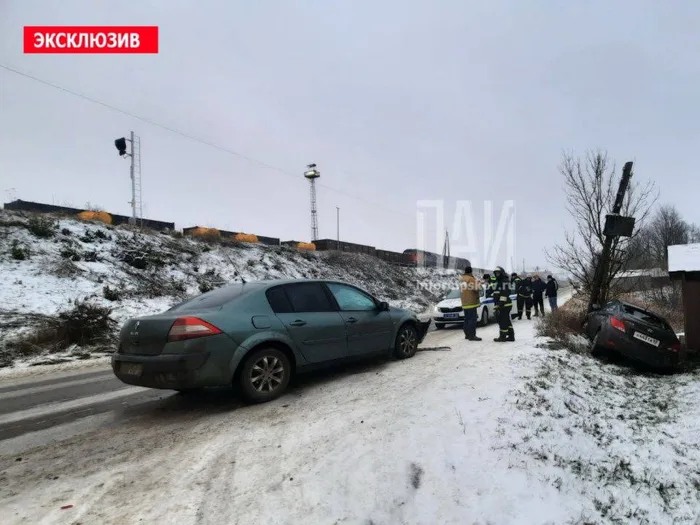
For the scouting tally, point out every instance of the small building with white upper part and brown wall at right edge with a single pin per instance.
(684, 267)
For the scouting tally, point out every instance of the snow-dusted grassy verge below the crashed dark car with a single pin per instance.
(627, 445)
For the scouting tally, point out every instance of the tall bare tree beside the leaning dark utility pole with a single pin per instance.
(591, 186)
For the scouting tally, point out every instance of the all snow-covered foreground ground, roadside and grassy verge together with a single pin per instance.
(463, 433)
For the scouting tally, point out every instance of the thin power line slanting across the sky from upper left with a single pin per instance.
(191, 137)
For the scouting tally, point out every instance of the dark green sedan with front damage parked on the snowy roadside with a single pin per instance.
(256, 335)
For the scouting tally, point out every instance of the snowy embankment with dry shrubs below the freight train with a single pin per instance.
(46, 265)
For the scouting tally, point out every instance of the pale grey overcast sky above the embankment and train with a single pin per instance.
(395, 101)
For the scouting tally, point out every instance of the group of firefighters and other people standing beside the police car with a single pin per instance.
(529, 290)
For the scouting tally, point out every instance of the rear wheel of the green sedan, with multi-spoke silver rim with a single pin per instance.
(265, 375)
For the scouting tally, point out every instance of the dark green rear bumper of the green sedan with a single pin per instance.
(169, 371)
